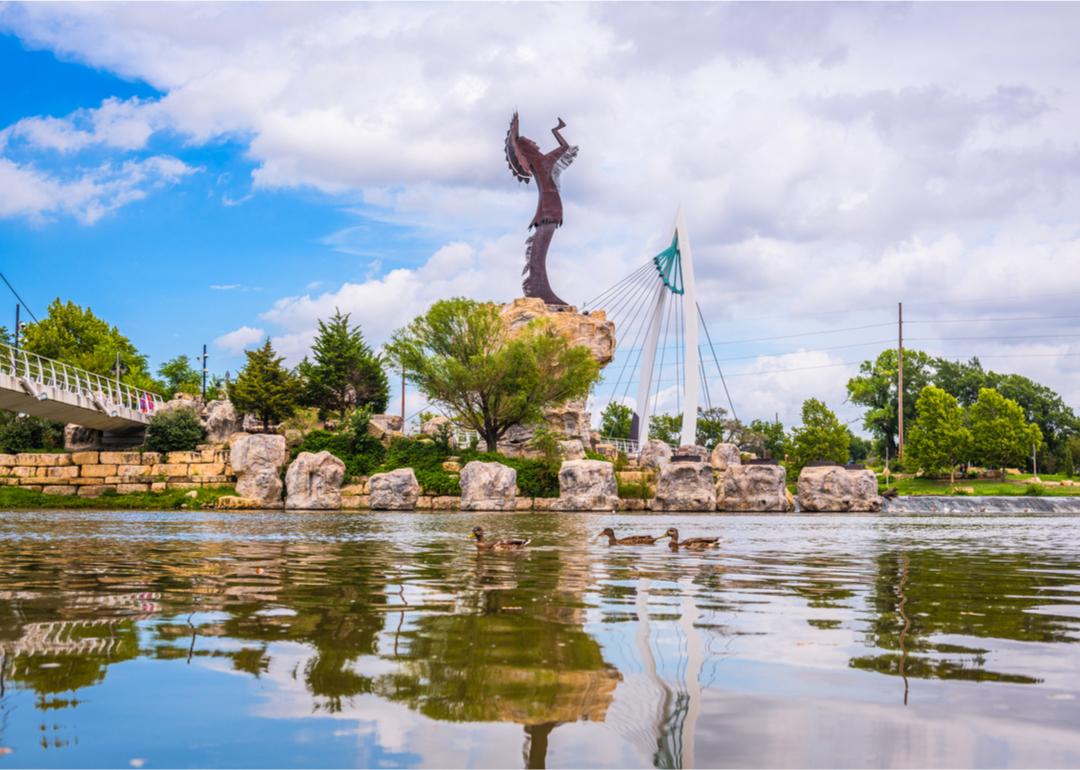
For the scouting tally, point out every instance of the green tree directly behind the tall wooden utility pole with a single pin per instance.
(875, 388)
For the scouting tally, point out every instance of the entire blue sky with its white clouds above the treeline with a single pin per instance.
(218, 174)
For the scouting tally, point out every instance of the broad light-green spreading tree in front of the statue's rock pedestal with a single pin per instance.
(461, 356)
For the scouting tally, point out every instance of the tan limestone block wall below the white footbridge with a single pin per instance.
(92, 474)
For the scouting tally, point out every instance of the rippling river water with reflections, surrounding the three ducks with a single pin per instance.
(274, 640)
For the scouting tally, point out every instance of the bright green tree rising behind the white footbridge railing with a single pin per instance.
(74, 335)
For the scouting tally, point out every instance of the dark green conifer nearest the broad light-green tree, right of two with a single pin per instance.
(345, 373)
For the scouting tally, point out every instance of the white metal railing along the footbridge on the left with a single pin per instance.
(105, 393)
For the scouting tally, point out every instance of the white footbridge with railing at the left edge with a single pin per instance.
(37, 386)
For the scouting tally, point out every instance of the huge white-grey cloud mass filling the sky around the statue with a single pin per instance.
(832, 159)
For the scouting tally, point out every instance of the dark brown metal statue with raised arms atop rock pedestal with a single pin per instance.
(526, 161)
